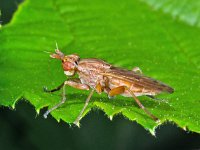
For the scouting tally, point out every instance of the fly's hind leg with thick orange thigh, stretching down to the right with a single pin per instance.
(121, 89)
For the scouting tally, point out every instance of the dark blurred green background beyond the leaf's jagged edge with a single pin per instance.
(23, 129)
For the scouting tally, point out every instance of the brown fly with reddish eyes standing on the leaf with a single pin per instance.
(99, 76)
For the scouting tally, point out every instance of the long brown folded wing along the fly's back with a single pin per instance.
(139, 80)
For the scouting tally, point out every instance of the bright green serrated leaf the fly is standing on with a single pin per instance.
(124, 33)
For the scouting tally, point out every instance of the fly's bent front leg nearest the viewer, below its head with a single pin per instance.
(72, 83)
